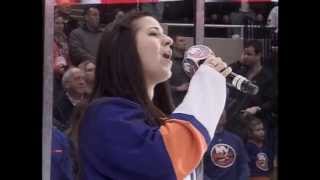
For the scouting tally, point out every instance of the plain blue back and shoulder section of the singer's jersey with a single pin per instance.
(116, 143)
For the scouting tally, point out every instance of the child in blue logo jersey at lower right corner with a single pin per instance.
(260, 154)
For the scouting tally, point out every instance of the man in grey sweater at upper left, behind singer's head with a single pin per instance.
(84, 41)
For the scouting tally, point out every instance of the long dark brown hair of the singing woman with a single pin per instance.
(119, 71)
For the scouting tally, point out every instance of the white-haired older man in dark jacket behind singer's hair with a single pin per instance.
(75, 89)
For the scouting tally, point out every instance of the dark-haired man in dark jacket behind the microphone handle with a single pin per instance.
(250, 66)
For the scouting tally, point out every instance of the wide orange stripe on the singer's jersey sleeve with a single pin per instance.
(185, 145)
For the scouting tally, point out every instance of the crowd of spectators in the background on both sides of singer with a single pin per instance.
(245, 144)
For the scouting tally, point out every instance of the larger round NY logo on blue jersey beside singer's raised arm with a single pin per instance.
(223, 155)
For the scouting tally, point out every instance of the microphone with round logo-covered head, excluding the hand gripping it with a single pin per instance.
(197, 54)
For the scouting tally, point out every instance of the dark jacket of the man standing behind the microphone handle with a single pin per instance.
(238, 101)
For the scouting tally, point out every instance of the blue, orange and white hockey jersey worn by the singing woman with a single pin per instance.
(117, 143)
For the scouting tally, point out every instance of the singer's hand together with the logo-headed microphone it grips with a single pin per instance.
(198, 54)
